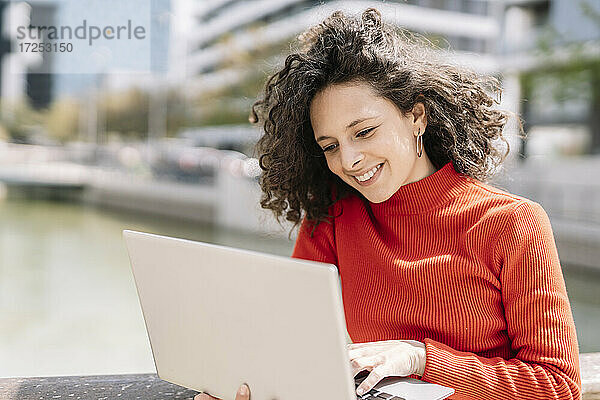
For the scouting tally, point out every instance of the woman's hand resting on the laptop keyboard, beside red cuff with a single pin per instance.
(386, 358)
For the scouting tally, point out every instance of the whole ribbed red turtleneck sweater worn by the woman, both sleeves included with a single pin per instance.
(468, 269)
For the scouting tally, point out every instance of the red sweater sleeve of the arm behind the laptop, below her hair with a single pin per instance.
(320, 247)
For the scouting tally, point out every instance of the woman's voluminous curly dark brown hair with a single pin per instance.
(399, 65)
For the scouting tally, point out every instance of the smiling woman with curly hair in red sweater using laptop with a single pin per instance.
(380, 151)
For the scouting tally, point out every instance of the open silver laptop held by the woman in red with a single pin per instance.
(217, 317)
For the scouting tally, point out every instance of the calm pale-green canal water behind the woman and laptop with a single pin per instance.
(68, 304)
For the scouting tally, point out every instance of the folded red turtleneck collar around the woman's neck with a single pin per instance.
(425, 194)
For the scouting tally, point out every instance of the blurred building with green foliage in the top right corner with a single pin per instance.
(553, 48)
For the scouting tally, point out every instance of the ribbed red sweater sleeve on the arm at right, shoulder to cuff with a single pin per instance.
(539, 324)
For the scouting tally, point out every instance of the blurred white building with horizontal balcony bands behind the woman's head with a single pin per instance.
(229, 32)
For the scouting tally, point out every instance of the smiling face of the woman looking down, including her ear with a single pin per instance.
(367, 141)
